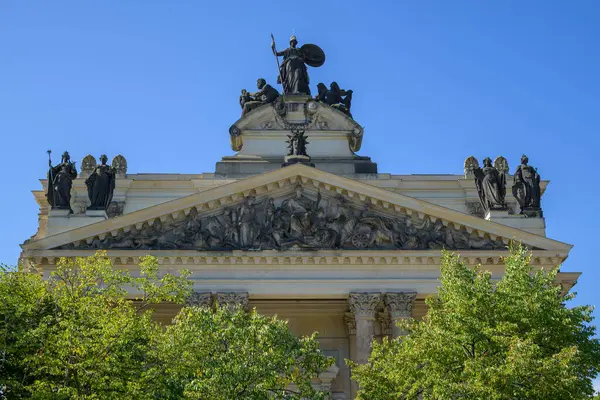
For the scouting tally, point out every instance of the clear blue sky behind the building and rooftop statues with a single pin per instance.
(434, 82)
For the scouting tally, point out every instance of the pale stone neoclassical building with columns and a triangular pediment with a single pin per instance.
(337, 247)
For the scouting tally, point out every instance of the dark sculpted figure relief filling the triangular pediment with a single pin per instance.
(301, 220)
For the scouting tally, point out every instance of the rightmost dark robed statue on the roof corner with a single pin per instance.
(526, 189)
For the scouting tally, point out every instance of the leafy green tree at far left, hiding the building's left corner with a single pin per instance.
(75, 335)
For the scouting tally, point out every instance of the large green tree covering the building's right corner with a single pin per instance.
(514, 339)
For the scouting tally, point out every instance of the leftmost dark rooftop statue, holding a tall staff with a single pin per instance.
(60, 181)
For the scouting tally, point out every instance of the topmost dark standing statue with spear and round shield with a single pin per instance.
(293, 74)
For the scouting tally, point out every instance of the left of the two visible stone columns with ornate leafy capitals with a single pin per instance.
(364, 306)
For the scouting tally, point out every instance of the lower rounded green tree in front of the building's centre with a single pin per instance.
(232, 354)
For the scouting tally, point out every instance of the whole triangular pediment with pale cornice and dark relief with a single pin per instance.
(295, 207)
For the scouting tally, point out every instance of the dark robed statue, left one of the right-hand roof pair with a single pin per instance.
(491, 186)
